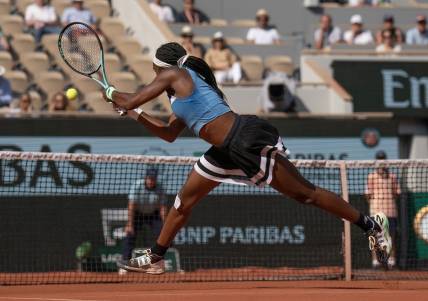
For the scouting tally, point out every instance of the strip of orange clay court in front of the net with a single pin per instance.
(220, 291)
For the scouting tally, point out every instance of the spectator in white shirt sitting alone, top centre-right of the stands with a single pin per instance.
(263, 34)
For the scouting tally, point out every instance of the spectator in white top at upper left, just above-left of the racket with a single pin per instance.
(42, 19)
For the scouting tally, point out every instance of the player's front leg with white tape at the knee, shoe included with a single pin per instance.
(195, 188)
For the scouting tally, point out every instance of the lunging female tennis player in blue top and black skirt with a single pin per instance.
(245, 150)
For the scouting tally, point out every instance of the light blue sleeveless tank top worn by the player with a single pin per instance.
(202, 106)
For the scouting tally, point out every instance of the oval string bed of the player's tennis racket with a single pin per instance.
(81, 49)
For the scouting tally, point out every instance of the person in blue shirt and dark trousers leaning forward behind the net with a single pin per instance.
(146, 206)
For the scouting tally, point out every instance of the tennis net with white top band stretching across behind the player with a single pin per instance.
(64, 220)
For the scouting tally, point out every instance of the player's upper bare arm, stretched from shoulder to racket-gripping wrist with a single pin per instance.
(130, 101)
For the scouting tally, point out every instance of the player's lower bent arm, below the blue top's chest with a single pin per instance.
(167, 131)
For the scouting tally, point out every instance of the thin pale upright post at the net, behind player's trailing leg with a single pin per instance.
(347, 225)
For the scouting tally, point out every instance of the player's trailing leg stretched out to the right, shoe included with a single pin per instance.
(288, 180)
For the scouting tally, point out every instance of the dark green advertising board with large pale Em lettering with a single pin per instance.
(376, 86)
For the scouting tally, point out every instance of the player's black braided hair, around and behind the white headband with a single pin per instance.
(170, 53)
